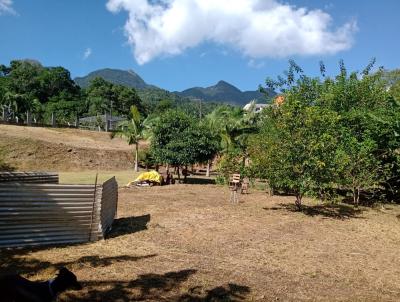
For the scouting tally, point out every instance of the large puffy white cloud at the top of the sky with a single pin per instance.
(257, 28)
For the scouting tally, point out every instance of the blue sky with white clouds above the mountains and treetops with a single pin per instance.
(172, 46)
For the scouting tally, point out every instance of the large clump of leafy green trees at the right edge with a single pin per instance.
(330, 134)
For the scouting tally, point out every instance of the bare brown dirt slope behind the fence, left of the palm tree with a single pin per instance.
(52, 149)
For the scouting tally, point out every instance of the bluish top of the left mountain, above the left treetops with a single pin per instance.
(116, 76)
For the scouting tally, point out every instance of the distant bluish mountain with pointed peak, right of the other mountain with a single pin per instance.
(224, 92)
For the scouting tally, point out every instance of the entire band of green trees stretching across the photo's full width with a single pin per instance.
(331, 136)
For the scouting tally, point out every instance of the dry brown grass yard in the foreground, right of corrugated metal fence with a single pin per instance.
(187, 243)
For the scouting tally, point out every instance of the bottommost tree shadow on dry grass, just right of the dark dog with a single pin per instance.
(157, 287)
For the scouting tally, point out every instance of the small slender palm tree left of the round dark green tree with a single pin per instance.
(132, 130)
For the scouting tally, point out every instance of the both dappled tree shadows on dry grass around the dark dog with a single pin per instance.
(146, 287)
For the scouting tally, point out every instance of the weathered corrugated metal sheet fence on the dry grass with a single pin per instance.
(33, 214)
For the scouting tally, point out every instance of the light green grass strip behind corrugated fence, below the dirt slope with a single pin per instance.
(88, 177)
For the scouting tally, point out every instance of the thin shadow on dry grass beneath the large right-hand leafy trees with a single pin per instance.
(336, 211)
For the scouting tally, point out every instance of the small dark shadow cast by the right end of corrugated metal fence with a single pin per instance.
(128, 225)
